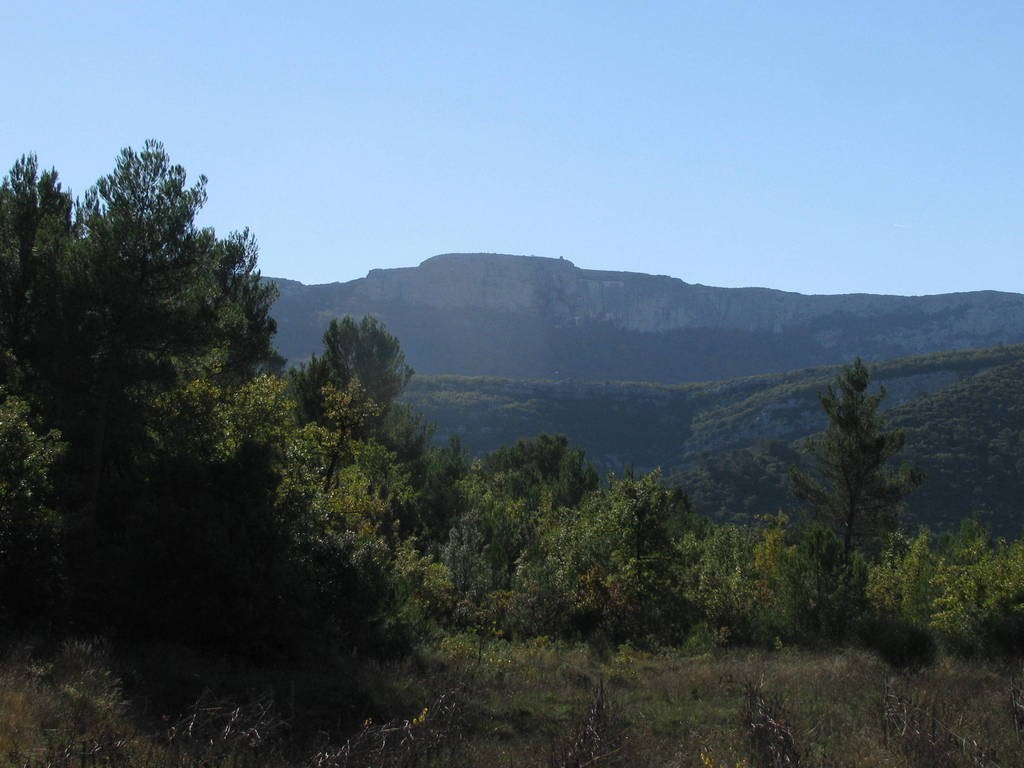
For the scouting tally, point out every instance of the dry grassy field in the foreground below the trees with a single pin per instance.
(463, 702)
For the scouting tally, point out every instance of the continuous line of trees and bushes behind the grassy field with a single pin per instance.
(162, 478)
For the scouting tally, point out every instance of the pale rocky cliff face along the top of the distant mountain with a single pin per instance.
(564, 294)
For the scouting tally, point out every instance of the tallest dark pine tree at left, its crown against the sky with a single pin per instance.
(162, 300)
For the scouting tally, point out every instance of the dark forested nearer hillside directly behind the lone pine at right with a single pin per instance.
(966, 437)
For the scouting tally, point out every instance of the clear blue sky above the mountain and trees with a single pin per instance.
(814, 147)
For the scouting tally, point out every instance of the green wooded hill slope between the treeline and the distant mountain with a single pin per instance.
(731, 444)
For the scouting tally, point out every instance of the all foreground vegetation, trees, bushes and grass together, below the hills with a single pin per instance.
(208, 561)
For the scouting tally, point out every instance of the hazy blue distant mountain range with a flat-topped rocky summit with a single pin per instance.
(525, 317)
